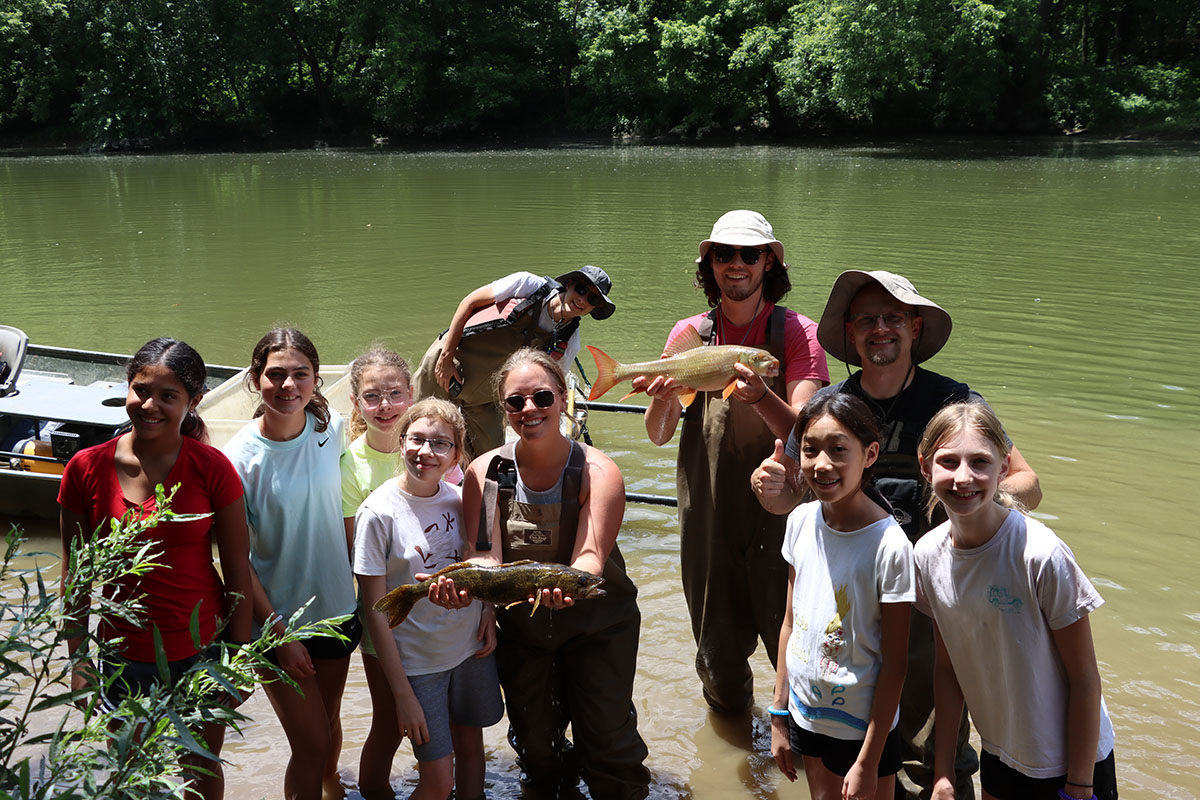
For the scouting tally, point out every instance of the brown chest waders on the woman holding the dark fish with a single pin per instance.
(573, 666)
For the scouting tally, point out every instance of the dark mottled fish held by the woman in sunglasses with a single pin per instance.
(507, 585)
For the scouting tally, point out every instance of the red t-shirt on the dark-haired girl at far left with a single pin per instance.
(207, 483)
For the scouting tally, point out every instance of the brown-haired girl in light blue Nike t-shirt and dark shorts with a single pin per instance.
(289, 461)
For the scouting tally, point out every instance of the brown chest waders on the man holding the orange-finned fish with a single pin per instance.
(735, 578)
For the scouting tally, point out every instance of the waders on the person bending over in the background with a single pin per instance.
(491, 336)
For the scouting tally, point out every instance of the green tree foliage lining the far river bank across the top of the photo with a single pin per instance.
(185, 71)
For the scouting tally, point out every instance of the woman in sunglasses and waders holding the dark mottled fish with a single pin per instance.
(550, 500)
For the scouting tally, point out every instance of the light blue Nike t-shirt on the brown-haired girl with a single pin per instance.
(295, 510)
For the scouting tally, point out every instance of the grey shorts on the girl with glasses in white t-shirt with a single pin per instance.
(469, 695)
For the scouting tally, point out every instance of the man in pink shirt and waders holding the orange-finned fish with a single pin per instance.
(735, 579)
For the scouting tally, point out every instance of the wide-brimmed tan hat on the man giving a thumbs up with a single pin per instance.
(935, 329)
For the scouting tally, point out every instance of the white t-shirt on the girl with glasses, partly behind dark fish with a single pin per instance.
(398, 536)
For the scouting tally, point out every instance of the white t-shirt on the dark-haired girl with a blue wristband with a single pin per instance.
(835, 652)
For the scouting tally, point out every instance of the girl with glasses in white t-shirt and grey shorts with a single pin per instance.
(433, 678)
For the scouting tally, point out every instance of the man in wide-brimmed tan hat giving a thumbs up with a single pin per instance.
(879, 322)
